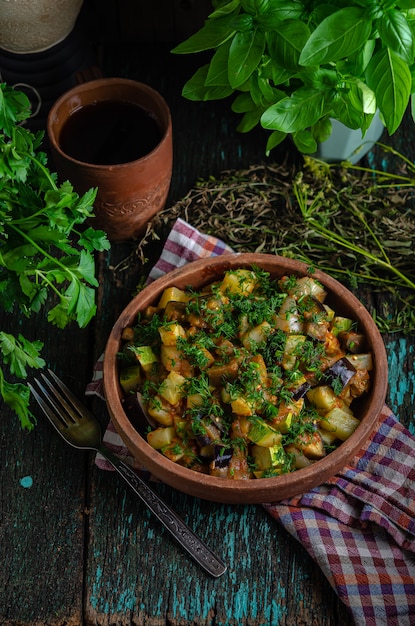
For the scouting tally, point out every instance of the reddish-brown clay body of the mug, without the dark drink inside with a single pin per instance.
(130, 193)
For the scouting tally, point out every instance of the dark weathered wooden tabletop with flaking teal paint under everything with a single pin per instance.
(77, 547)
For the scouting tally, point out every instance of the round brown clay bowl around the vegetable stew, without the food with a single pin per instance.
(272, 489)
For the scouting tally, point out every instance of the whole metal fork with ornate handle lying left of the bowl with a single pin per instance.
(76, 424)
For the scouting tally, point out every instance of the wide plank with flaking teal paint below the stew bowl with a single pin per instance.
(269, 575)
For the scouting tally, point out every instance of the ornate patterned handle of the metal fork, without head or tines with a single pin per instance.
(174, 524)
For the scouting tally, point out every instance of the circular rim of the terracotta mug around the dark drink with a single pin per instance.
(99, 84)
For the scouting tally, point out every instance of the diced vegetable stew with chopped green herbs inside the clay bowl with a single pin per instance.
(251, 376)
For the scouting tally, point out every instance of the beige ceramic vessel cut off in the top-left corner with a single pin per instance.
(29, 26)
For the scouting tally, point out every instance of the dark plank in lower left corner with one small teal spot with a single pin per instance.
(42, 501)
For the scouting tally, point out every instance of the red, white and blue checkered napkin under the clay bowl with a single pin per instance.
(359, 526)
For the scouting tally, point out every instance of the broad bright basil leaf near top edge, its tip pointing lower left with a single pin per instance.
(336, 37)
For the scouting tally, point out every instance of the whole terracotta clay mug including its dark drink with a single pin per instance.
(114, 134)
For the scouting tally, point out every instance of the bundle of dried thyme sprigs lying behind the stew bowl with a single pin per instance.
(354, 223)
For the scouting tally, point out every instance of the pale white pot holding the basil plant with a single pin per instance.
(347, 144)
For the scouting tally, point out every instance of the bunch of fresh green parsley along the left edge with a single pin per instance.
(45, 262)
